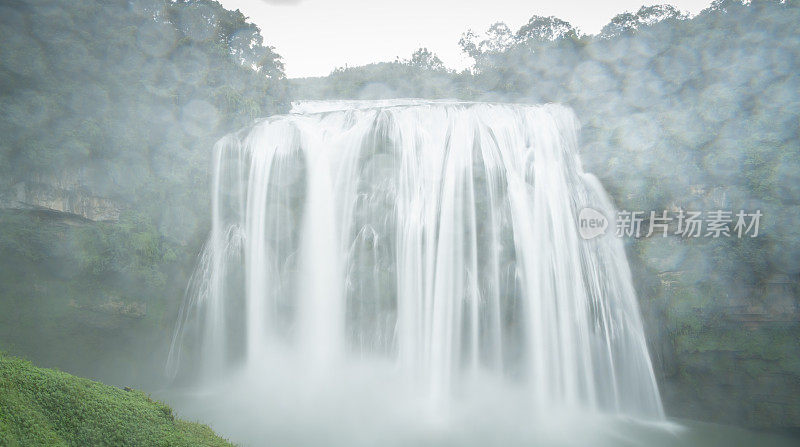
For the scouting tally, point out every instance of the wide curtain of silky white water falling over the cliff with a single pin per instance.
(439, 235)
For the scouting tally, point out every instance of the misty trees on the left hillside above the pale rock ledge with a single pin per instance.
(90, 83)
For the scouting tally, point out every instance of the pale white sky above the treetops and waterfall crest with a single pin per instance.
(316, 36)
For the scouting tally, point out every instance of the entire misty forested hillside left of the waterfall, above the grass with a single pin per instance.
(110, 111)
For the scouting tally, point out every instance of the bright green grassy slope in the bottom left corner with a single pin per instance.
(41, 406)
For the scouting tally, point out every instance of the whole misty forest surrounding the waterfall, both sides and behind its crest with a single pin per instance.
(111, 108)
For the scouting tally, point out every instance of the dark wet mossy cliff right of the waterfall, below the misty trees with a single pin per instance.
(725, 352)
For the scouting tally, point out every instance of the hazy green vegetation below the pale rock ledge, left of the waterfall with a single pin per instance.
(91, 297)
